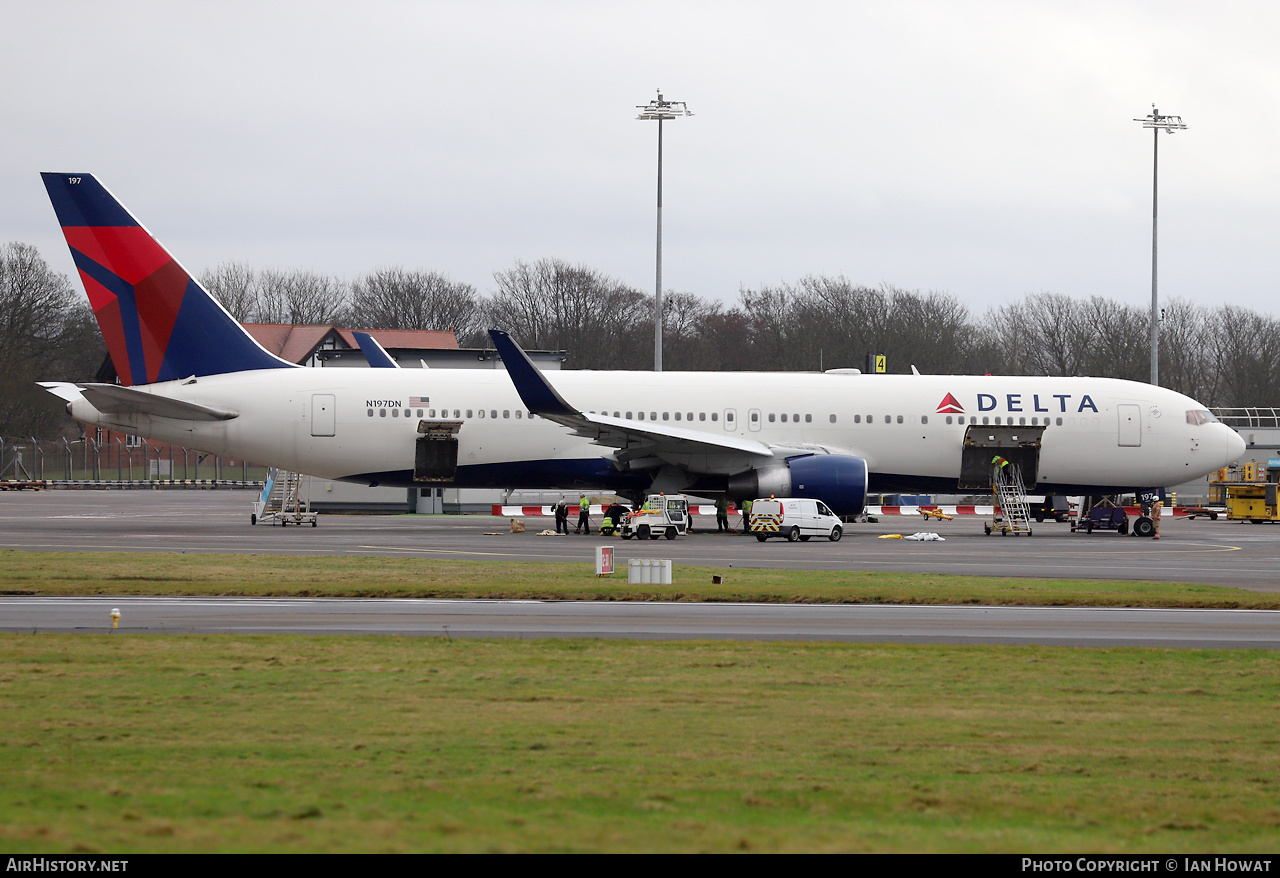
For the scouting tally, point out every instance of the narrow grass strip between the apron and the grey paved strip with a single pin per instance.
(121, 574)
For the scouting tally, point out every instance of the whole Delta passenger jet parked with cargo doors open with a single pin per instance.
(191, 376)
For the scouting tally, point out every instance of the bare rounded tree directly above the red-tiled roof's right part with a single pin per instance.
(395, 299)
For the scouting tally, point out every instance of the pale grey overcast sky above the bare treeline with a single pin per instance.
(984, 149)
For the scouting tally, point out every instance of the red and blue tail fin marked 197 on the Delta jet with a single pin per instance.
(158, 322)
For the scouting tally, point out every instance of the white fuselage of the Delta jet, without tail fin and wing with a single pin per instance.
(353, 423)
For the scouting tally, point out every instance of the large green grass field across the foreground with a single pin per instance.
(387, 744)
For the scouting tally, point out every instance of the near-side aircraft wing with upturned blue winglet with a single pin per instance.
(545, 401)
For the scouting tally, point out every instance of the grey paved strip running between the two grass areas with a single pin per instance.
(1200, 629)
